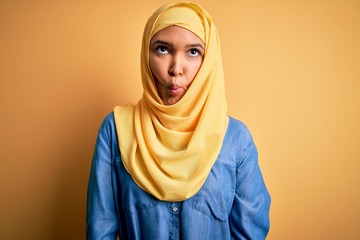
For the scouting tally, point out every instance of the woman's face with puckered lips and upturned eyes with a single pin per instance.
(175, 57)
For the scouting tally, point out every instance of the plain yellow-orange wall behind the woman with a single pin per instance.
(292, 71)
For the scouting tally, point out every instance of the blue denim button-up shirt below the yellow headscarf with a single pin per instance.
(233, 203)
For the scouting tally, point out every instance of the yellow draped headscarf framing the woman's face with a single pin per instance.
(169, 150)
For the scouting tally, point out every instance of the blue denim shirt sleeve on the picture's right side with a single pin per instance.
(249, 217)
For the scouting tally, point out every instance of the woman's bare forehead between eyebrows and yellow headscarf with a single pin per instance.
(176, 34)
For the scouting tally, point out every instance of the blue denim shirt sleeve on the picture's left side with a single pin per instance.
(101, 217)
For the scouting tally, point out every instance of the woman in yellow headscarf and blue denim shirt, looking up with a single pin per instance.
(175, 166)
